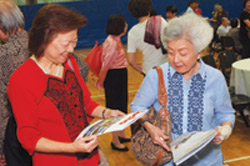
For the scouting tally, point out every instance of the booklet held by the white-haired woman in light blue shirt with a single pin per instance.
(188, 144)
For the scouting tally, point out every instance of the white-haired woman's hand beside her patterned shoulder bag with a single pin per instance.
(157, 135)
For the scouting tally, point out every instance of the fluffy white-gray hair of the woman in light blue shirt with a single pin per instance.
(189, 26)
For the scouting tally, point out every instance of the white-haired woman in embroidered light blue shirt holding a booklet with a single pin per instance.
(198, 98)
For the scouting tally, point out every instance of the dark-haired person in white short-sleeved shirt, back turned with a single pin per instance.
(140, 9)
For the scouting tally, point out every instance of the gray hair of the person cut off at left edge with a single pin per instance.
(11, 17)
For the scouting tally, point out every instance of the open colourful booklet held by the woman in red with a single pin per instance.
(113, 124)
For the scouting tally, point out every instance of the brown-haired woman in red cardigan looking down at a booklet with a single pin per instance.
(49, 98)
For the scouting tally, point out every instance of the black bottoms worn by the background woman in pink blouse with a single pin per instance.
(116, 89)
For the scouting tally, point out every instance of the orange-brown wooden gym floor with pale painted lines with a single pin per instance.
(236, 149)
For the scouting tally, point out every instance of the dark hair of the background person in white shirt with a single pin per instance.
(139, 8)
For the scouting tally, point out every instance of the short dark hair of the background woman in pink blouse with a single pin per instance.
(115, 24)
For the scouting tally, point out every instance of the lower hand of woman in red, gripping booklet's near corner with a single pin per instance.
(85, 144)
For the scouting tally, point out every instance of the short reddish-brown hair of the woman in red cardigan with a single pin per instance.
(49, 21)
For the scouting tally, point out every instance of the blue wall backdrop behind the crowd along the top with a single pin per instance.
(98, 11)
